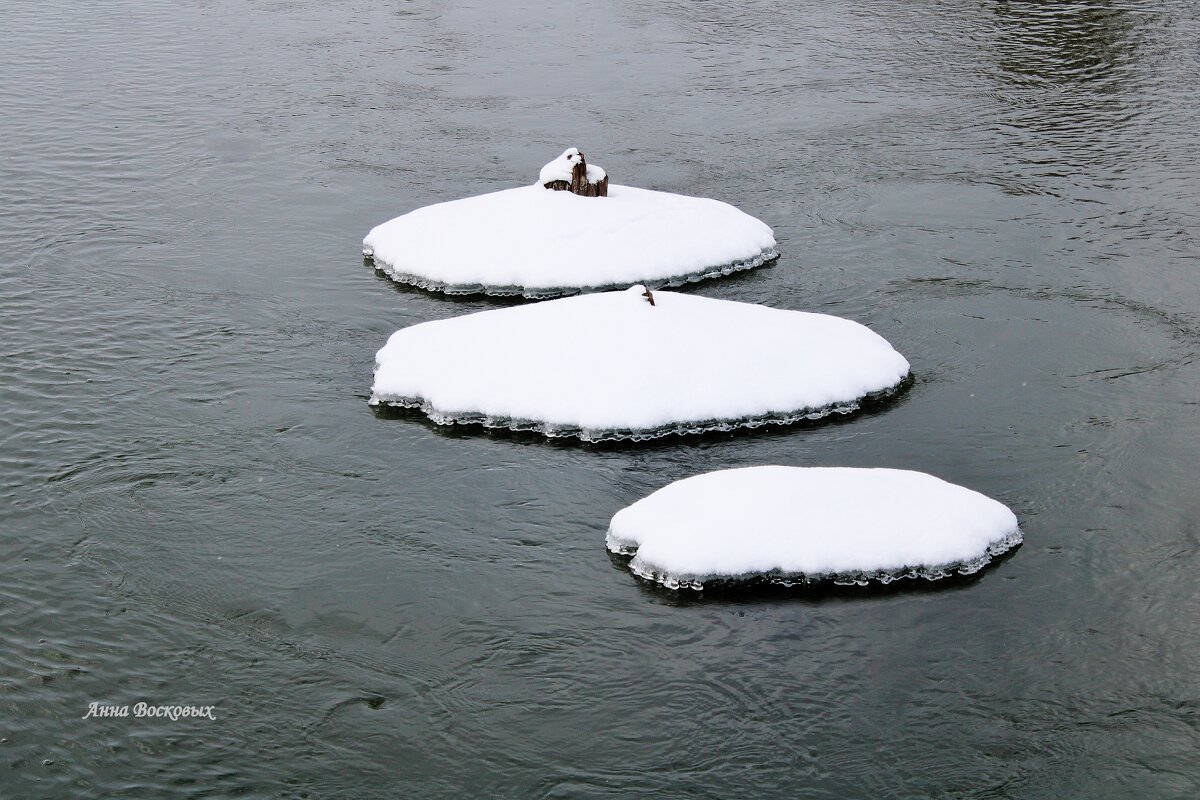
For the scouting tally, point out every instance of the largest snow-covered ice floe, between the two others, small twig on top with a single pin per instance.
(615, 366)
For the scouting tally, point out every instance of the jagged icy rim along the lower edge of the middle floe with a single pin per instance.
(556, 431)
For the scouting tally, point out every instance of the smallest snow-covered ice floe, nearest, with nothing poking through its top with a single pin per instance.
(794, 525)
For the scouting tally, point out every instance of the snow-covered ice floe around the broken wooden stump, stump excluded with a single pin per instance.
(538, 243)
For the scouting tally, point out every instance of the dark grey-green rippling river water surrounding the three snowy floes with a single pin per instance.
(200, 508)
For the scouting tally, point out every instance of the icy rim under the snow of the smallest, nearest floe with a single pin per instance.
(778, 578)
